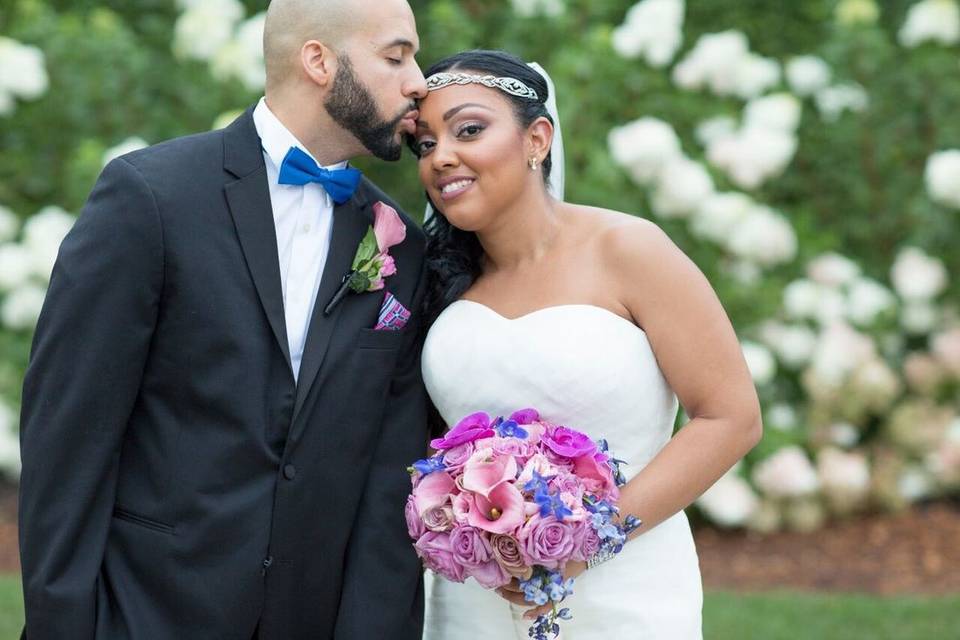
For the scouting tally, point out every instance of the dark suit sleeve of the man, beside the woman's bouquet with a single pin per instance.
(382, 573)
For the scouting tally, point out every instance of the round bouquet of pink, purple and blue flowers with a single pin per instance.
(516, 498)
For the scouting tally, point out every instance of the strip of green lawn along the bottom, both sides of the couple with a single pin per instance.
(753, 616)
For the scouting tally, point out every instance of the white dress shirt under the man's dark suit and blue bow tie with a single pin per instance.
(303, 217)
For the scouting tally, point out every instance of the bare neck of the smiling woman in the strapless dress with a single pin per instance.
(524, 233)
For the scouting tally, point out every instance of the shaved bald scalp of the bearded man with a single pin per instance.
(291, 23)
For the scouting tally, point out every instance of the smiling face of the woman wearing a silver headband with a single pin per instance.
(472, 154)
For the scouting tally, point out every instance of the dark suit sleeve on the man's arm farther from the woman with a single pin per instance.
(87, 361)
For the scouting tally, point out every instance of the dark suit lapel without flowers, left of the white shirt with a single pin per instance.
(249, 201)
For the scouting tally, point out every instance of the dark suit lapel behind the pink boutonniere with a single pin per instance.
(350, 223)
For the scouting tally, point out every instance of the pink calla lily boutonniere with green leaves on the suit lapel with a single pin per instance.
(373, 262)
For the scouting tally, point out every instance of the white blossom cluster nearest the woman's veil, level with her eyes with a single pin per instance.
(644, 146)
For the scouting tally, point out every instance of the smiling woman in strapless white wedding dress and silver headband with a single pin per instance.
(593, 317)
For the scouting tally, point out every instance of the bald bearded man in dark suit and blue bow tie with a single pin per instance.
(206, 453)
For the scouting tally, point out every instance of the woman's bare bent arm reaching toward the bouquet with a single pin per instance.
(700, 356)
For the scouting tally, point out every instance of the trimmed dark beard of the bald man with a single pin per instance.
(352, 106)
